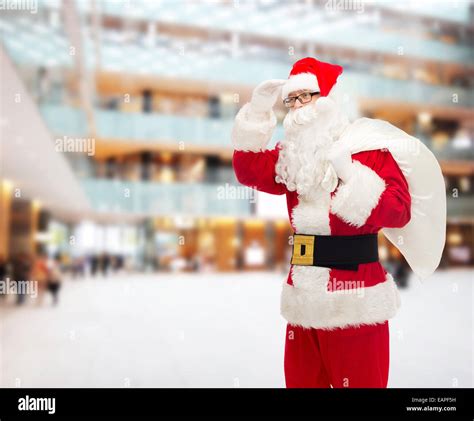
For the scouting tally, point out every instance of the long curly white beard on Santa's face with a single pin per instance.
(309, 134)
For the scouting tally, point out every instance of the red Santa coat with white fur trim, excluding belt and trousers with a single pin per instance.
(376, 196)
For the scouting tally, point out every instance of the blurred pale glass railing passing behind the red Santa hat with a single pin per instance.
(44, 46)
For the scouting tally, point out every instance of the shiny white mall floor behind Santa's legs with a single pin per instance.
(213, 330)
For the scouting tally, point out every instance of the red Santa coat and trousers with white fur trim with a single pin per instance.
(309, 303)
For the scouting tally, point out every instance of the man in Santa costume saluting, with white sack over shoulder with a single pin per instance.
(344, 182)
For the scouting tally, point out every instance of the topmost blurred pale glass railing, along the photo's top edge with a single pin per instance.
(363, 31)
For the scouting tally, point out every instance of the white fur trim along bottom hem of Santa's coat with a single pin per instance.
(340, 309)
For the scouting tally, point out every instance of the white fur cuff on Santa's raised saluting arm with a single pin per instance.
(252, 130)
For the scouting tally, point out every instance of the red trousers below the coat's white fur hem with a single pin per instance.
(350, 357)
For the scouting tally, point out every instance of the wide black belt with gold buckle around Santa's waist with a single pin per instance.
(334, 251)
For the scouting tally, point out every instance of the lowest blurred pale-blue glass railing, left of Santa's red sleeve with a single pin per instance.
(149, 198)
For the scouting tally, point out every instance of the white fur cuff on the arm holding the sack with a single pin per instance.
(355, 200)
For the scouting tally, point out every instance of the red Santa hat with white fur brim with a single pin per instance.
(309, 73)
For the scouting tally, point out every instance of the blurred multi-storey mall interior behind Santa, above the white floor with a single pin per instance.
(116, 120)
